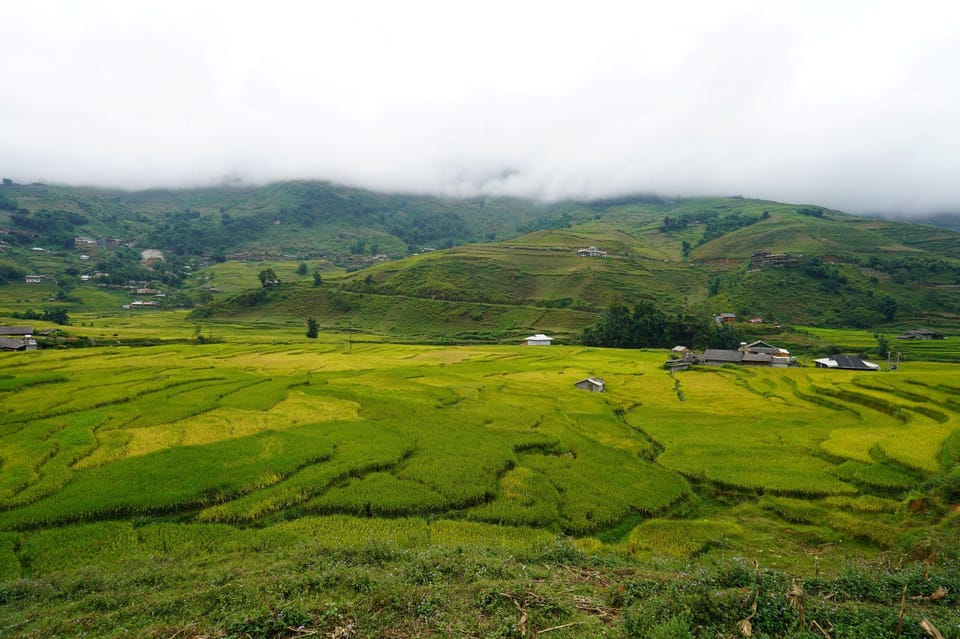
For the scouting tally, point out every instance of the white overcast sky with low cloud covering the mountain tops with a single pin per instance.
(849, 104)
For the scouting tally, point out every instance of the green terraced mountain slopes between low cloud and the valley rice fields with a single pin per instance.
(428, 268)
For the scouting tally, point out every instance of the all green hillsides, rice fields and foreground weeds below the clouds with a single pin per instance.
(209, 468)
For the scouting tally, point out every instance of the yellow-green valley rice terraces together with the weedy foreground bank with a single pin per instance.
(364, 489)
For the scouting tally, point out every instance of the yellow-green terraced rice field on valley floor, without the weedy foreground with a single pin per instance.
(468, 436)
